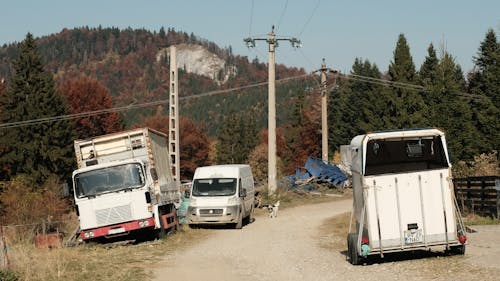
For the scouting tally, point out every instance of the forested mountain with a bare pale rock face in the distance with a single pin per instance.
(133, 65)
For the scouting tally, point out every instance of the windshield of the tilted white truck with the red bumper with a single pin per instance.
(110, 179)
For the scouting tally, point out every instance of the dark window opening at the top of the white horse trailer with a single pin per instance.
(404, 155)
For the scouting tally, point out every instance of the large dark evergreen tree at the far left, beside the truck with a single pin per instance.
(38, 150)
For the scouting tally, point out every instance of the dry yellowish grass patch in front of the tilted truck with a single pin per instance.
(98, 262)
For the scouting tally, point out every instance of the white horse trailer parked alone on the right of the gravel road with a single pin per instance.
(403, 195)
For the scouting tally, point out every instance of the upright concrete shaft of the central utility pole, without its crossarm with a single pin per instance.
(272, 185)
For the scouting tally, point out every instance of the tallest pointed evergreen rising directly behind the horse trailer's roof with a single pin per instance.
(407, 107)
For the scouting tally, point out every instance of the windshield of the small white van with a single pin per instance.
(214, 187)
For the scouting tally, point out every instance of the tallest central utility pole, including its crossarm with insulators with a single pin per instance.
(272, 40)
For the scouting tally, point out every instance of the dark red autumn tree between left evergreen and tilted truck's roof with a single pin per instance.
(85, 94)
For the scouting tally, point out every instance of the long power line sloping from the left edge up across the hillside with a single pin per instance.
(136, 106)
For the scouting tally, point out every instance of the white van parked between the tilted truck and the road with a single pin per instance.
(222, 194)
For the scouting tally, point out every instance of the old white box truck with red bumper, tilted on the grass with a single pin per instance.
(124, 184)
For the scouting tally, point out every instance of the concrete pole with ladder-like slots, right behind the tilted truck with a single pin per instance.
(173, 136)
